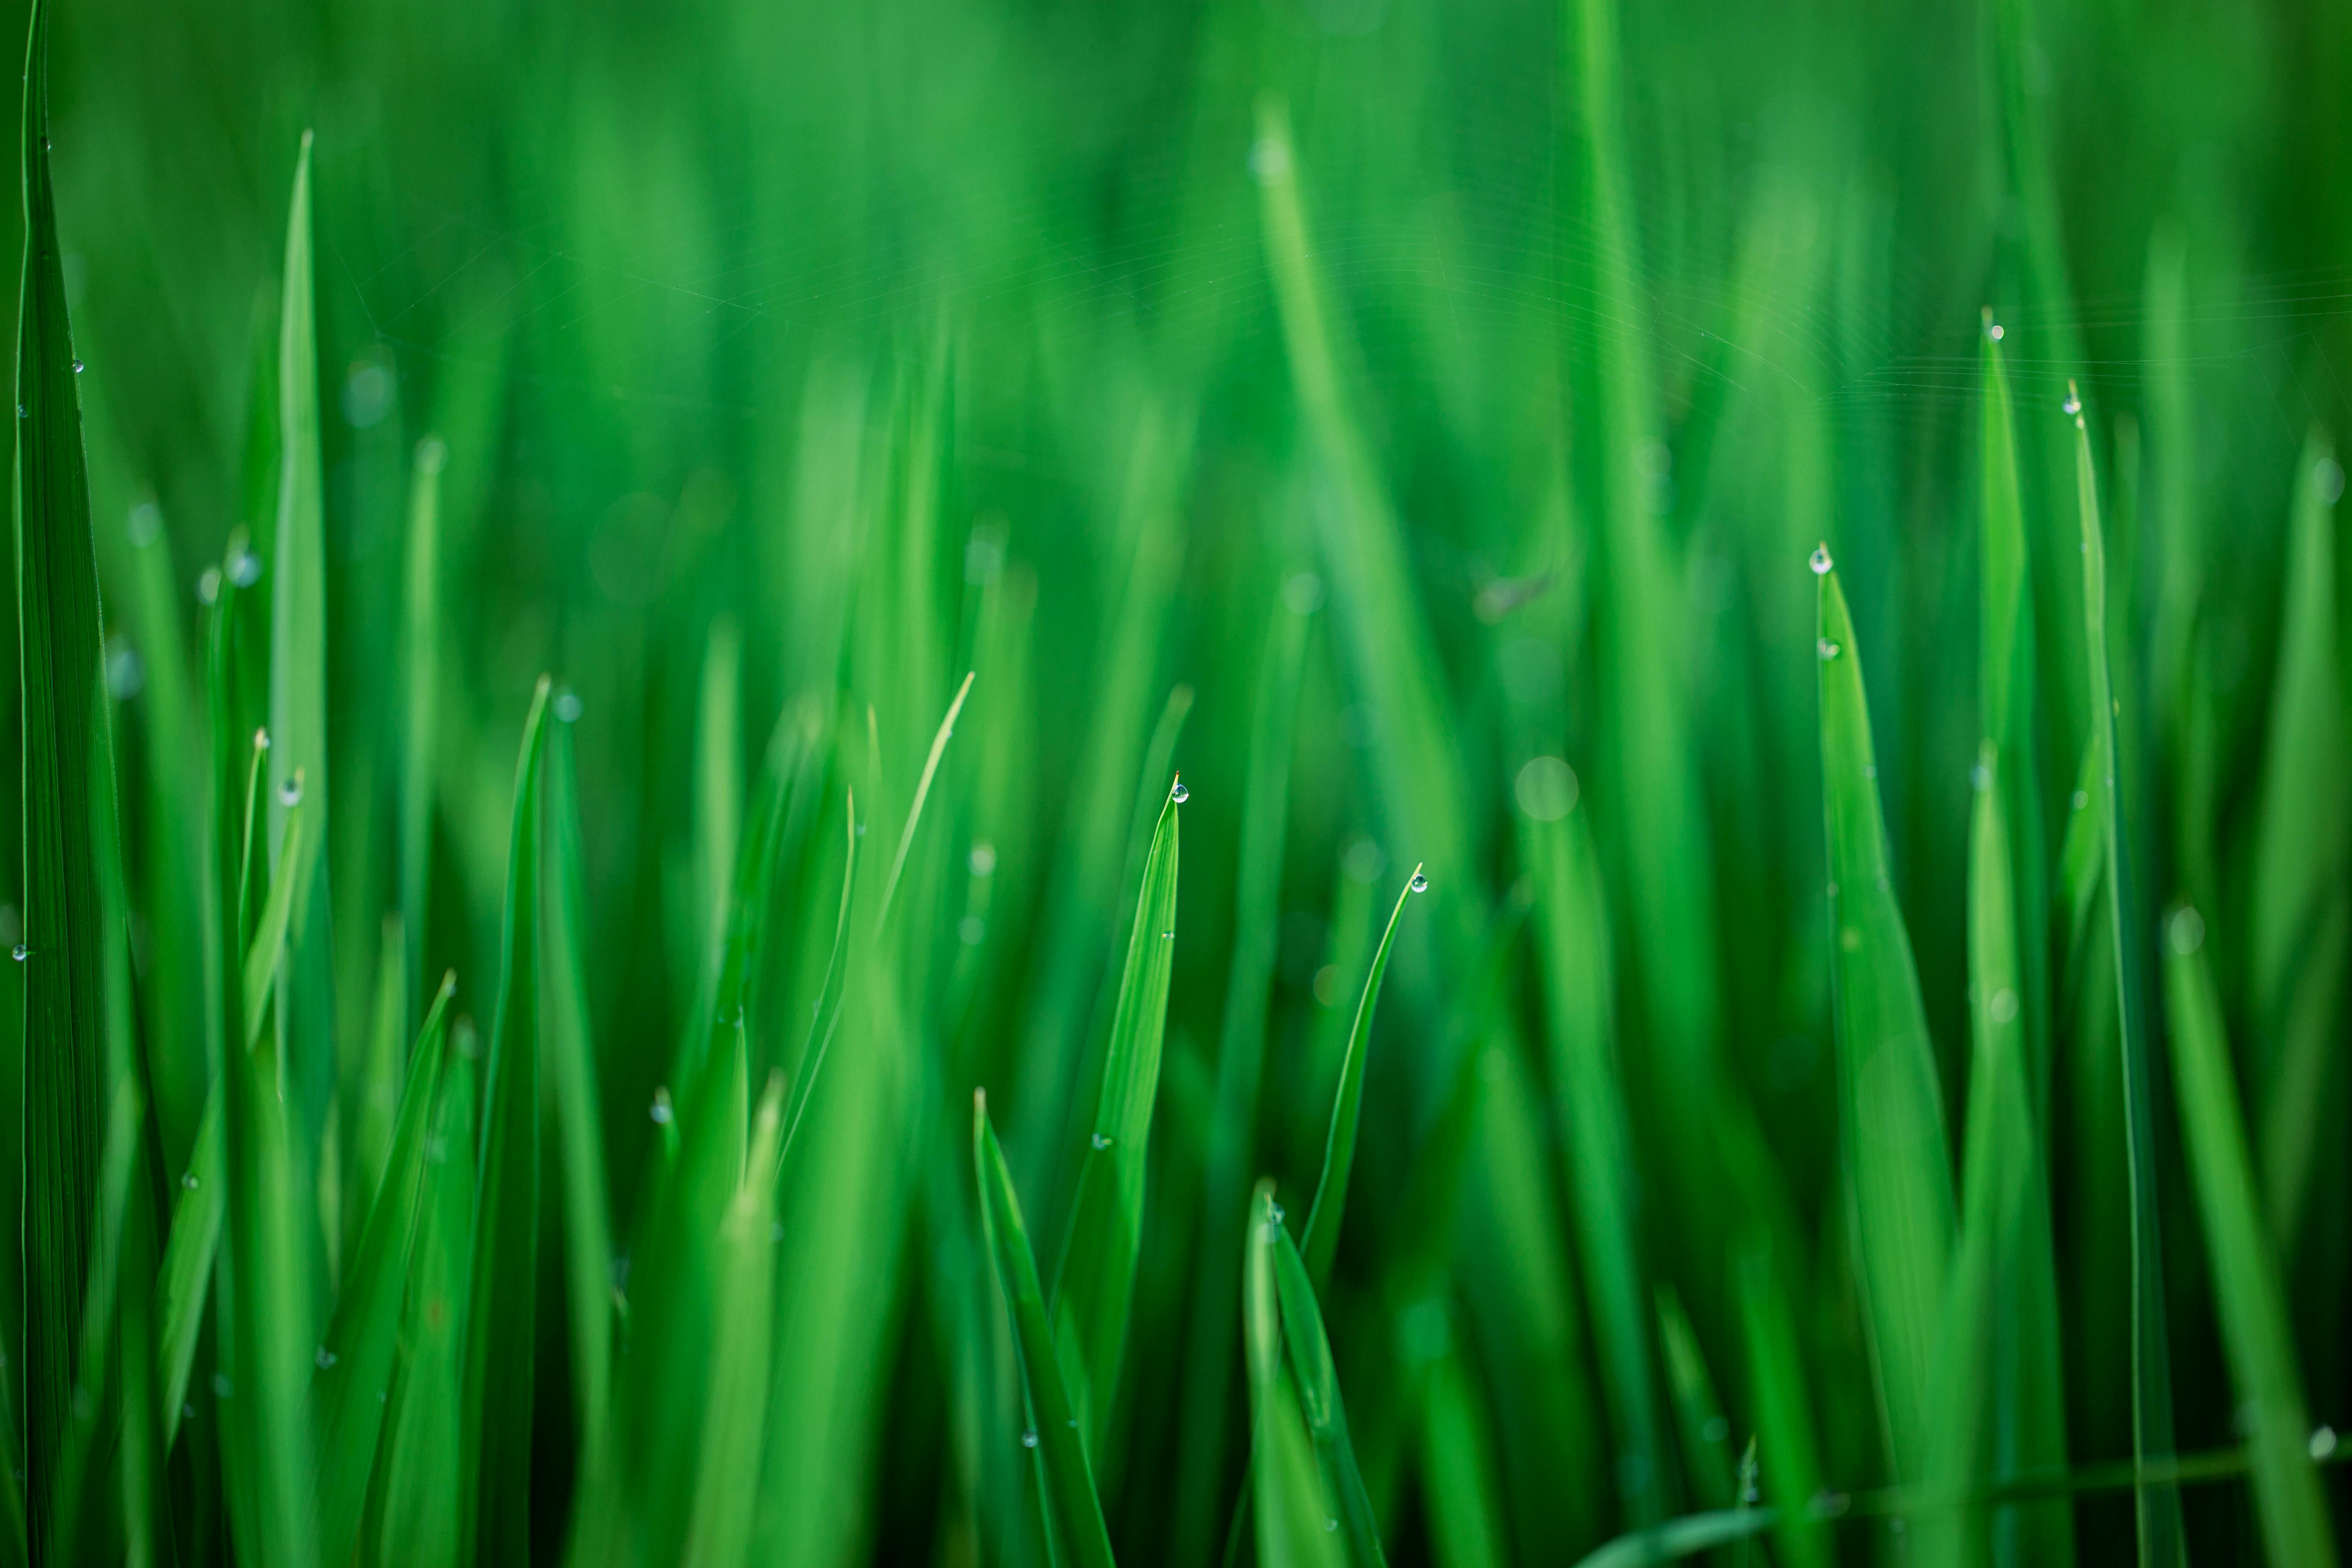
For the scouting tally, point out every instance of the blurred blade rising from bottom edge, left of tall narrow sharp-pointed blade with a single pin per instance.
(415, 1501)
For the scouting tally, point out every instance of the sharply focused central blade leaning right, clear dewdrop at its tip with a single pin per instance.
(1097, 1275)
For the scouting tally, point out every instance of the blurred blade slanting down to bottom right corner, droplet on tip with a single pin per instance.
(2254, 1322)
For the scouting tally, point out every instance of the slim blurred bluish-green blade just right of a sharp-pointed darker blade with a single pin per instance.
(573, 1064)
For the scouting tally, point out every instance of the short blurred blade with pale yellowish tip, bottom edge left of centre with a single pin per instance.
(742, 1339)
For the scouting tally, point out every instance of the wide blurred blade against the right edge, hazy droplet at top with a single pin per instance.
(2299, 937)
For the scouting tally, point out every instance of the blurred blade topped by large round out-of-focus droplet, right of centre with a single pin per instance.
(1572, 925)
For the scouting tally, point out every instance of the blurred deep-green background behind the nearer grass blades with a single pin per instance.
(813, 356)
